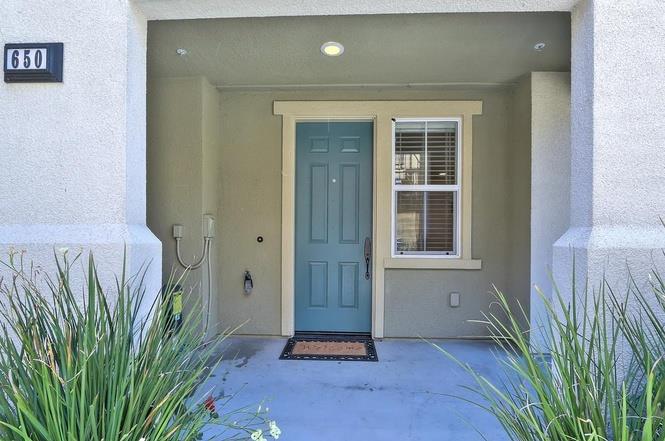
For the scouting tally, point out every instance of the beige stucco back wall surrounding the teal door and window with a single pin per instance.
(416, 300)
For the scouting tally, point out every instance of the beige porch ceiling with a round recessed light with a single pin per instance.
(426, 49)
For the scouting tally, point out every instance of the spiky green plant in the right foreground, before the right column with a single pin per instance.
(572, 390)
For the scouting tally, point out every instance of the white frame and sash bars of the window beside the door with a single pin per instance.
(425, 188)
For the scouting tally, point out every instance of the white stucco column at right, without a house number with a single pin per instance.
(618, 144)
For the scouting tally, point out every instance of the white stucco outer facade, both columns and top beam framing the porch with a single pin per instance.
(92, 164)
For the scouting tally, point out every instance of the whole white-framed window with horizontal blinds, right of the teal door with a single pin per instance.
(426, 214)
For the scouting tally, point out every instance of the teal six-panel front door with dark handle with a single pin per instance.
(333, 226)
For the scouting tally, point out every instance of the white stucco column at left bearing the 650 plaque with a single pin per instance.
(73, 153)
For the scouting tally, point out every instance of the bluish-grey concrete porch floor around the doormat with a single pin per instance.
(405, 396)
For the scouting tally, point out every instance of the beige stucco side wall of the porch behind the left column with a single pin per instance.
(183, 173)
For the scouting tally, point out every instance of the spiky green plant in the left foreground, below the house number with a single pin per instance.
(100, 365)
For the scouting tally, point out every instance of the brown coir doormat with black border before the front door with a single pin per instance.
(329, 347)
